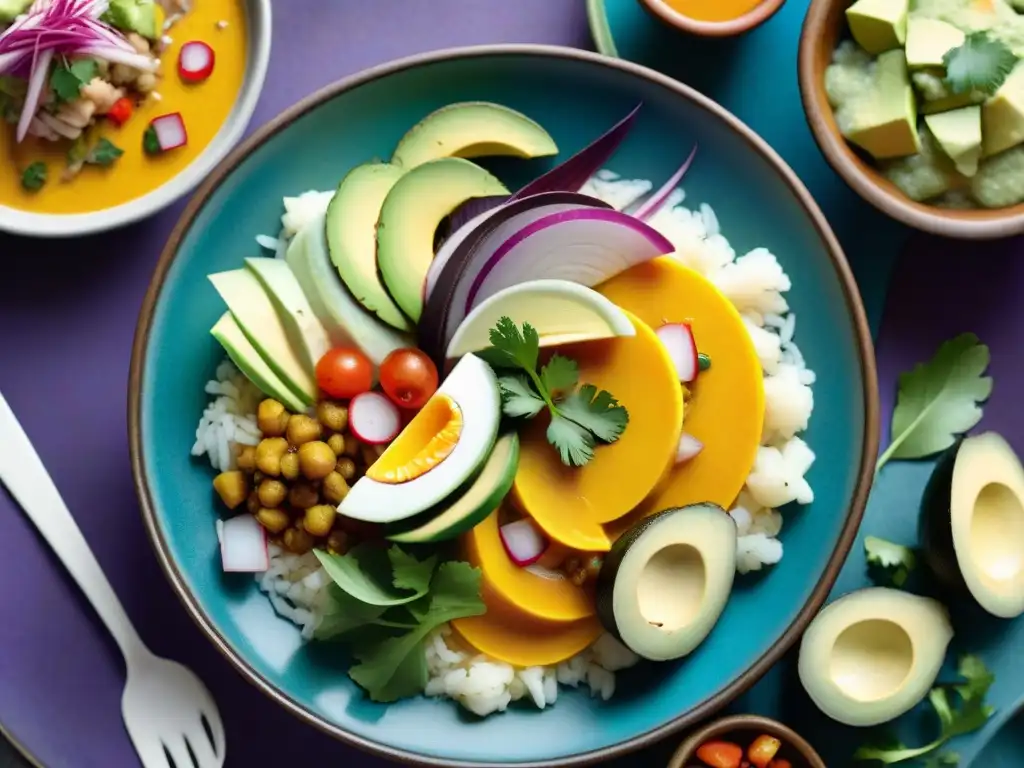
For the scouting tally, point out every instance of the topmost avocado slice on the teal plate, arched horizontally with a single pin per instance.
(474, 130)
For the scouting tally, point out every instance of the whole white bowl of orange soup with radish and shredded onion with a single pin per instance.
(112, 109)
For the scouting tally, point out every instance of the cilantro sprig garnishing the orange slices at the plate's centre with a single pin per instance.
(580, 418)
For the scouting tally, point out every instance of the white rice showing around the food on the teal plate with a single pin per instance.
(755, 283)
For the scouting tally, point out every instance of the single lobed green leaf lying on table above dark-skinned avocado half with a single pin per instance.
(940, 400)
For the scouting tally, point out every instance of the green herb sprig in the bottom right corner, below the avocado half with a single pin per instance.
(961, 709)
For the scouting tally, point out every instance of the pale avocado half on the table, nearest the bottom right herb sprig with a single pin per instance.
(901, 637)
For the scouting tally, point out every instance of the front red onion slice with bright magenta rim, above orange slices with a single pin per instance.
(586, 246)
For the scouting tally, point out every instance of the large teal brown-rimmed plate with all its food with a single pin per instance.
(482, 418)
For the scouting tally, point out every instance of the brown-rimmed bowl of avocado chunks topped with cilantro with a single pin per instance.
(920, 108)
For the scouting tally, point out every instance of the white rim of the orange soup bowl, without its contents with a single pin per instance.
(68, 226)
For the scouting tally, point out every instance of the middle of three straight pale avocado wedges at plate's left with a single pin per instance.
(260, 321)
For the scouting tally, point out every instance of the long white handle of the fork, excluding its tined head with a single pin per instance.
(23, 473)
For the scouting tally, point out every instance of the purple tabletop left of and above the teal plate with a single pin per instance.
(68, 313)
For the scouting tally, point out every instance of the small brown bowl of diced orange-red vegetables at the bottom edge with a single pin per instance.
(746, 742)
